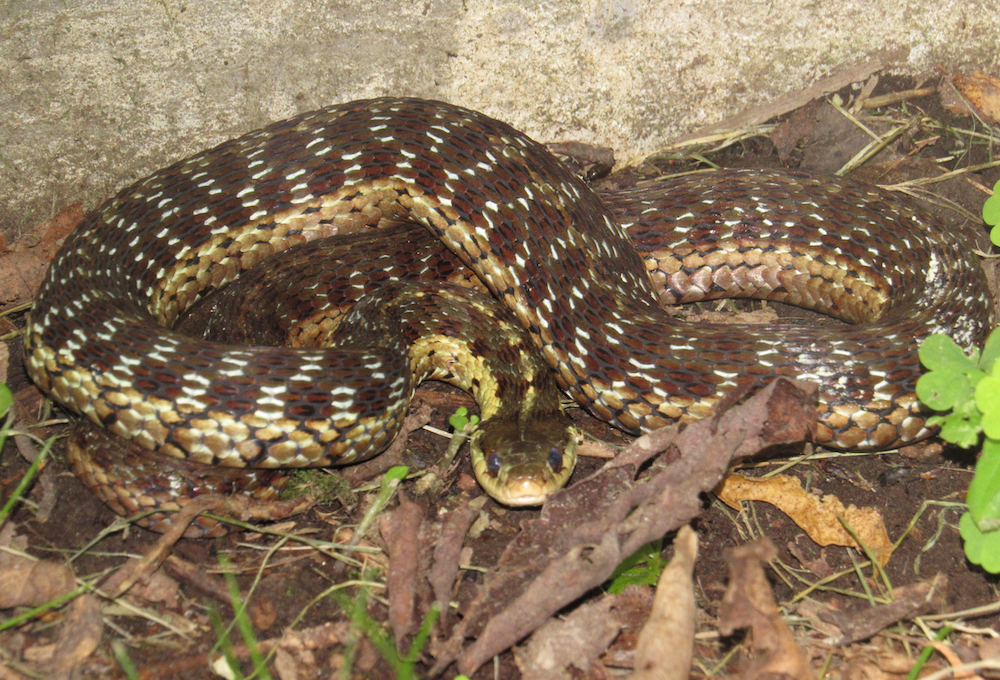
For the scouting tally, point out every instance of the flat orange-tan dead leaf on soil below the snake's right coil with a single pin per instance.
(818, 517)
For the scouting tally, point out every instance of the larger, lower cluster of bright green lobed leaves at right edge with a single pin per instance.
(968, 387)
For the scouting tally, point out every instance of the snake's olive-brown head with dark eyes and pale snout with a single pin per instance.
(520, 464)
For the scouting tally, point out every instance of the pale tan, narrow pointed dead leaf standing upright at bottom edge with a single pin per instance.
(666, 643)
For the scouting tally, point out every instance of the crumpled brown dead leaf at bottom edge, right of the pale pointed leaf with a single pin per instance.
(749, 603)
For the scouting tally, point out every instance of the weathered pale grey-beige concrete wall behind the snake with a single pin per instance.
(96, 94)
